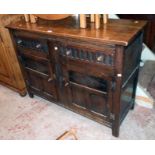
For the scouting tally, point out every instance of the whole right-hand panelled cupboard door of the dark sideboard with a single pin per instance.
(86, 91)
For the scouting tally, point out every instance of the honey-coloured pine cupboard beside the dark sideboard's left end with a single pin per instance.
(10, 73)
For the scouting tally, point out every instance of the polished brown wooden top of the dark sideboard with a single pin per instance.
(116, 31)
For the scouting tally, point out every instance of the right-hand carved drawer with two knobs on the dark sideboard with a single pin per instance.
(103, 56)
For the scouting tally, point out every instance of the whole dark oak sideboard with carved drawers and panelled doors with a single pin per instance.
(92, 72)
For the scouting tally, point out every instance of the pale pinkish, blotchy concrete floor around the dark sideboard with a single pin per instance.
(37, 119)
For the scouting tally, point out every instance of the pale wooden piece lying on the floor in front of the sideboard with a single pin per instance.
(69, 133)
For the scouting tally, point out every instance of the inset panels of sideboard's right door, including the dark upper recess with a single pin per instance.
(89, 93)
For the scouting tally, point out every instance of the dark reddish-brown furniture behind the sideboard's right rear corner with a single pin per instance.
(149, 34)
